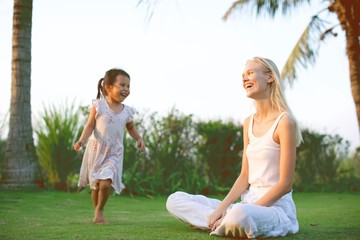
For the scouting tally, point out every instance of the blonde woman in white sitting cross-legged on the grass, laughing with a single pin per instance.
(271, 136)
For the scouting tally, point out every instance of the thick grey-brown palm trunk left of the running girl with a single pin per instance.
(20, 158)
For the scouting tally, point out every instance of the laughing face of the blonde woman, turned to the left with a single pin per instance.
(255, 81)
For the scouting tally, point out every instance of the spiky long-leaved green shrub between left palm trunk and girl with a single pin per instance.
(56, 135)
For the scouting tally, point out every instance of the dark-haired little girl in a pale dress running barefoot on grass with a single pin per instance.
(103, 158)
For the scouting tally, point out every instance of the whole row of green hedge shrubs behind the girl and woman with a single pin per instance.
(186, 154)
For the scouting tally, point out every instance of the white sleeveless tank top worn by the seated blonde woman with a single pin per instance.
(263, 155)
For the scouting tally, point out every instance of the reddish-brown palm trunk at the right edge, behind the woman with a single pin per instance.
(348, 12)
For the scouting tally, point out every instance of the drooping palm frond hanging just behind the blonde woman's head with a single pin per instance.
(305, 50)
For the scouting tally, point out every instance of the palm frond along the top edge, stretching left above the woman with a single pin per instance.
(263, 7)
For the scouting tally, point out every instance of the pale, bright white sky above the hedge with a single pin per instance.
(186, 57)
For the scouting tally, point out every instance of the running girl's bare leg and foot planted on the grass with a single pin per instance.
(103, 195)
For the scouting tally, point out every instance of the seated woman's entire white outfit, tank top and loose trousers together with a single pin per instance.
(245, 219)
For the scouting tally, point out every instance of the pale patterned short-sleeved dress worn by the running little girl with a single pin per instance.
(103, 157)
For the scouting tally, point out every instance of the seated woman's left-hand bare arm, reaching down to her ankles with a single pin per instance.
(240, 186)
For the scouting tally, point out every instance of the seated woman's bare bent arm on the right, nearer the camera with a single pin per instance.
(286, 136)
